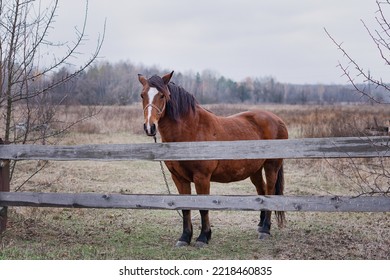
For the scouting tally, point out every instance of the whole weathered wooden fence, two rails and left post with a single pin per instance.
(350, 147)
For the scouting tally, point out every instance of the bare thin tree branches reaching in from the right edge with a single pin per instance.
(370, 176)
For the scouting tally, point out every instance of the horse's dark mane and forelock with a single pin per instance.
(180, 102)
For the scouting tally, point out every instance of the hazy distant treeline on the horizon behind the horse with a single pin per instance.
(108, 83)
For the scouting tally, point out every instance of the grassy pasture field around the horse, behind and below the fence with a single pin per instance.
(54, 233)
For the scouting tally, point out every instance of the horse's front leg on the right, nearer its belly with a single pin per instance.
(202, 186)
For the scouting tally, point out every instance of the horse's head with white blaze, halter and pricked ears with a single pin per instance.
(155, 95)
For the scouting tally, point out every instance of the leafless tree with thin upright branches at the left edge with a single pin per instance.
(26, 81)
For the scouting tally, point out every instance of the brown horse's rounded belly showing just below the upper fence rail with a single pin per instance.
(235, 170)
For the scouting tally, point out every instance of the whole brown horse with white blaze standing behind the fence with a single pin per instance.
(178, 117)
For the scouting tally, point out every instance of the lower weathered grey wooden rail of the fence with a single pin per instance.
(198, 202)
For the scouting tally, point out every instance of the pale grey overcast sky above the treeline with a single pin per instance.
(237, 38)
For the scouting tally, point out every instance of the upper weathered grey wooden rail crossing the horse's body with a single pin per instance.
(293, 148)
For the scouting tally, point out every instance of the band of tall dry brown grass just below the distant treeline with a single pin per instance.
(303, 121)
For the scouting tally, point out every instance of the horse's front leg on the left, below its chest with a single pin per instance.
(184, 187)
